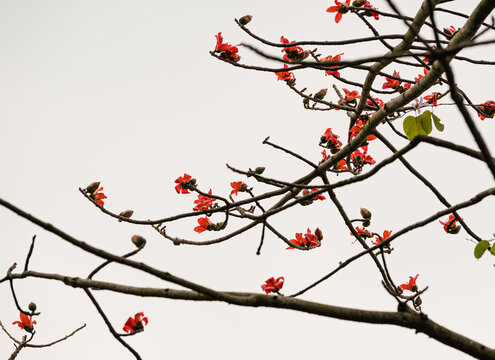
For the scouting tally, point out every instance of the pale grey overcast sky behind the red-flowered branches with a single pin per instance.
(126, 93)
